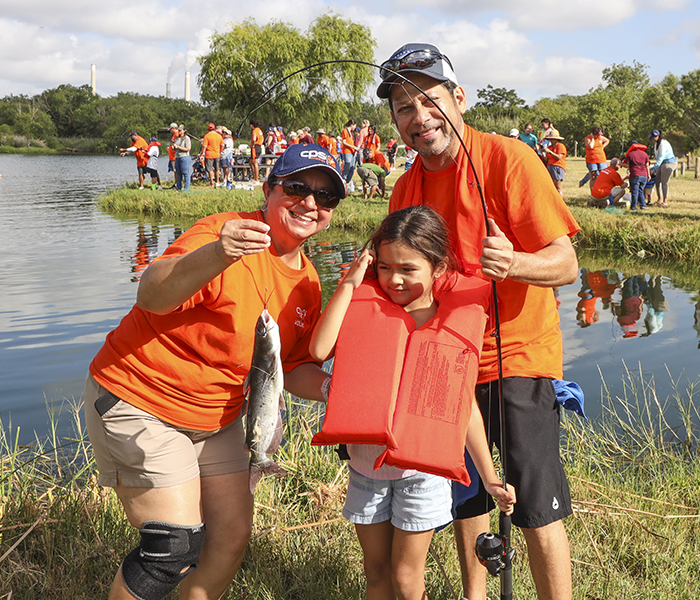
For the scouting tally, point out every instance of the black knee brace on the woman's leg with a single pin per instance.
(166, 555)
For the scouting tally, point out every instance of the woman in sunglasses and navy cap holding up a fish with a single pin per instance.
(165, 393)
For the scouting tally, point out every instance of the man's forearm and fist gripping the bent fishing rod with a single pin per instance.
(552, 266)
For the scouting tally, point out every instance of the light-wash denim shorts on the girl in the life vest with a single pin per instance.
(417, 503)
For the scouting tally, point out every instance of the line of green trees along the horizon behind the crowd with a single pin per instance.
(266, 71)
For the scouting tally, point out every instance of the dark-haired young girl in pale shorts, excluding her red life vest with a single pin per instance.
(395, 510)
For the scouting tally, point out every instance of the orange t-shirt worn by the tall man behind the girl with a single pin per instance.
(525, 205)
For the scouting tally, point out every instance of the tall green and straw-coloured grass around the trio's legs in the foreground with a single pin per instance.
(635, 532)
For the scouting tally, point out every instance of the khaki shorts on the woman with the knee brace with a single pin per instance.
(136, 449)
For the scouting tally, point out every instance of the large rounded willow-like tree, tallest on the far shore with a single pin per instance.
(249, 59)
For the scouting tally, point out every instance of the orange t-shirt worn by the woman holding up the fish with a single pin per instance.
(188, 367)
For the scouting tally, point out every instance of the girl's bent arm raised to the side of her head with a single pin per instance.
(325, 335)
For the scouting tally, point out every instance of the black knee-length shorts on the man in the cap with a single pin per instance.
(532, 452)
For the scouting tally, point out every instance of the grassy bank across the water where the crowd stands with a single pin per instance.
(671, 233)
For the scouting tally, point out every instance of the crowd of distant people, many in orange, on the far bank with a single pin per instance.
(358, 149)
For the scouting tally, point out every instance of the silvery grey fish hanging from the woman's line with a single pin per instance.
(264, 388)
